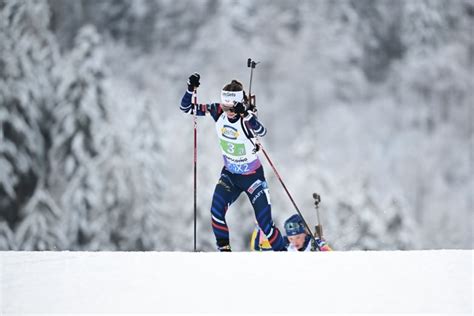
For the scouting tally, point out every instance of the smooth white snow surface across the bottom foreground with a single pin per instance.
(438, 281)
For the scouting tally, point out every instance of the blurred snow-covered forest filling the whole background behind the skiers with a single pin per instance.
(369, 103)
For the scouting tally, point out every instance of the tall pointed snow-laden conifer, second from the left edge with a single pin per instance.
(77, 140)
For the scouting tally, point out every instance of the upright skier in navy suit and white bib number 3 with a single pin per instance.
(236, 129)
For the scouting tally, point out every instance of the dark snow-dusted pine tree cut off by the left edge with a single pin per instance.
(27, 54)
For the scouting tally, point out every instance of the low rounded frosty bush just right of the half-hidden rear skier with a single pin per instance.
(360, 217)
